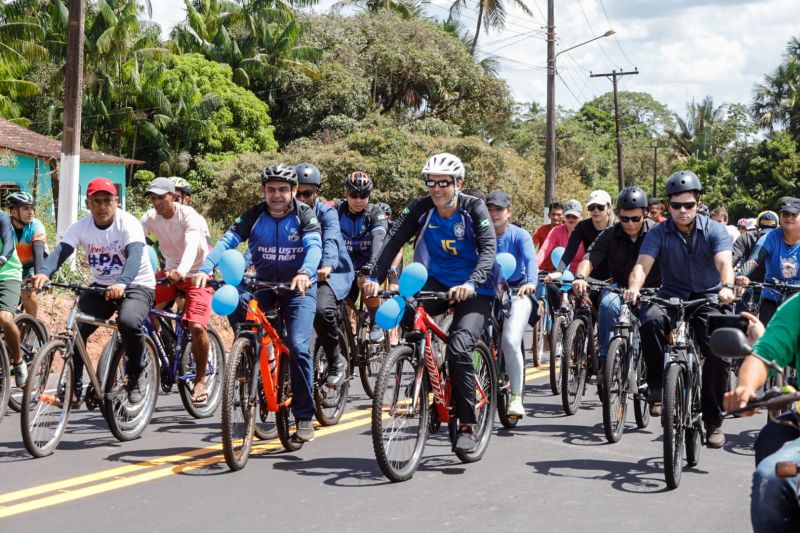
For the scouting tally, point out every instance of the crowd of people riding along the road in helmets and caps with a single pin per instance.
(330, 252)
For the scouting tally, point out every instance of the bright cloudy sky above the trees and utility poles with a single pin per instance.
(684, 49)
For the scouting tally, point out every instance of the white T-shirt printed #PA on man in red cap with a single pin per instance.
(105, 248)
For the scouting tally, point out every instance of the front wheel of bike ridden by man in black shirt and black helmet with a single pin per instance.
(615, 407)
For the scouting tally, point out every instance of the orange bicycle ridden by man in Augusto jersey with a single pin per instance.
(257, 381)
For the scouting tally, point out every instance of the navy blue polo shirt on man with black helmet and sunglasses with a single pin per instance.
(685, 272)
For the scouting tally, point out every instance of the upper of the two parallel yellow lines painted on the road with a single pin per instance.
(123, 470)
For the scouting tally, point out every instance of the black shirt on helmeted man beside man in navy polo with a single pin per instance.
(616, 252)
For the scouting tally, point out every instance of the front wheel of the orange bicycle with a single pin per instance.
(238, 410)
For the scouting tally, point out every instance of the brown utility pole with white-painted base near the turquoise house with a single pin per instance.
(69, 172)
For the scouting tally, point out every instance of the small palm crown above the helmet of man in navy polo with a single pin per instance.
(694, 134)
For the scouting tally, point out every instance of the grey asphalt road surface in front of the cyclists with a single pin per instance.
(552, 473)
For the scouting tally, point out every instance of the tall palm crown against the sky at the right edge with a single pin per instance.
(776, 102)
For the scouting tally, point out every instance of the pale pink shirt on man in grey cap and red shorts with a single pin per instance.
(181, 238)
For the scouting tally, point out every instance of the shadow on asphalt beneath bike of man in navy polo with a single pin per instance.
(645, 476)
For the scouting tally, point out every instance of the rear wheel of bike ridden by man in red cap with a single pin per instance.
(125, 420)
